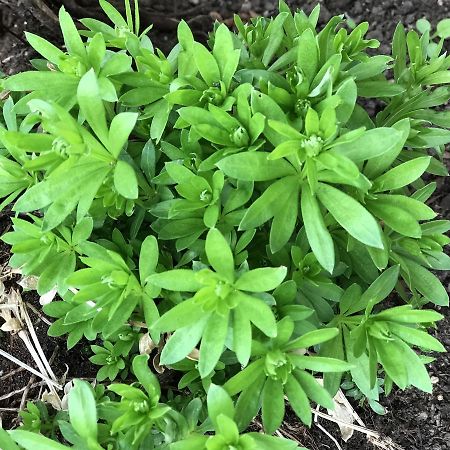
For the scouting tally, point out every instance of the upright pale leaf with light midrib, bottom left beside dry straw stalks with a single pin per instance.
(83, 410)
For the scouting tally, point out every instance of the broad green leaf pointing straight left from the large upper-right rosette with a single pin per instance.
(254, 166)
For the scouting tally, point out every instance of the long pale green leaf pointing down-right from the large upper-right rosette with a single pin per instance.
(351, 215)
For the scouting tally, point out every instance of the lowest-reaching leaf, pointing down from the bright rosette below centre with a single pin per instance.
(213, 342)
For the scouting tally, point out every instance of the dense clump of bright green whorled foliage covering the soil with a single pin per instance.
(236, 208)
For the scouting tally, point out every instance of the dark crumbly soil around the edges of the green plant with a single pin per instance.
(414, 420)
